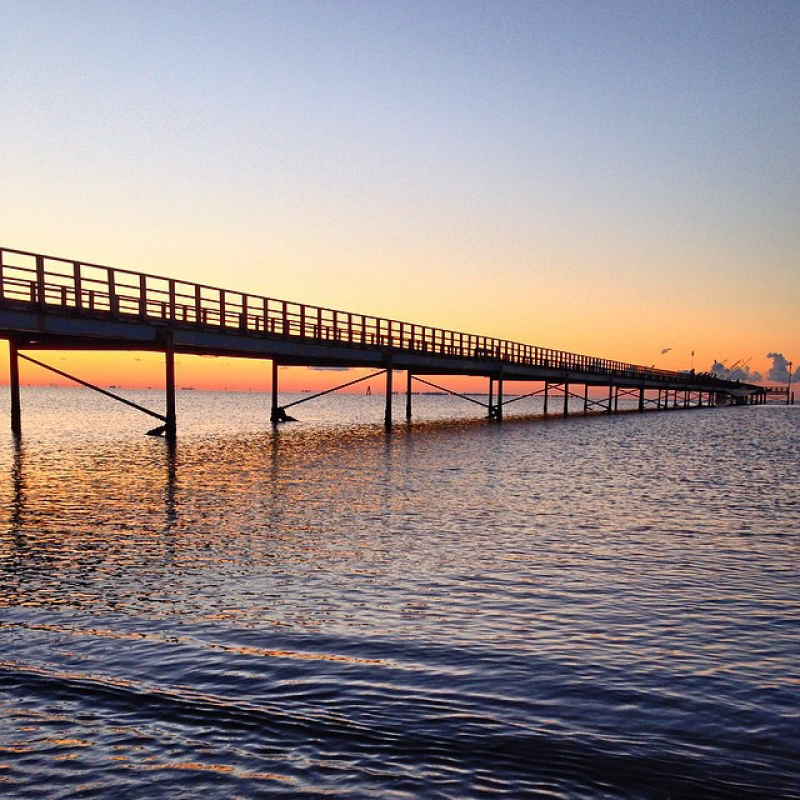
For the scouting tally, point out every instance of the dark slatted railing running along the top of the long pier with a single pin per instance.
(65, 286)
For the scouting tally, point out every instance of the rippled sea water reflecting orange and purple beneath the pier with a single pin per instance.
(602, 607)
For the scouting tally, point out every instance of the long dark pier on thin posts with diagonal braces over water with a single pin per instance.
(51, 303)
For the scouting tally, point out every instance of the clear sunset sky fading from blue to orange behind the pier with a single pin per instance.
(610, 178)
